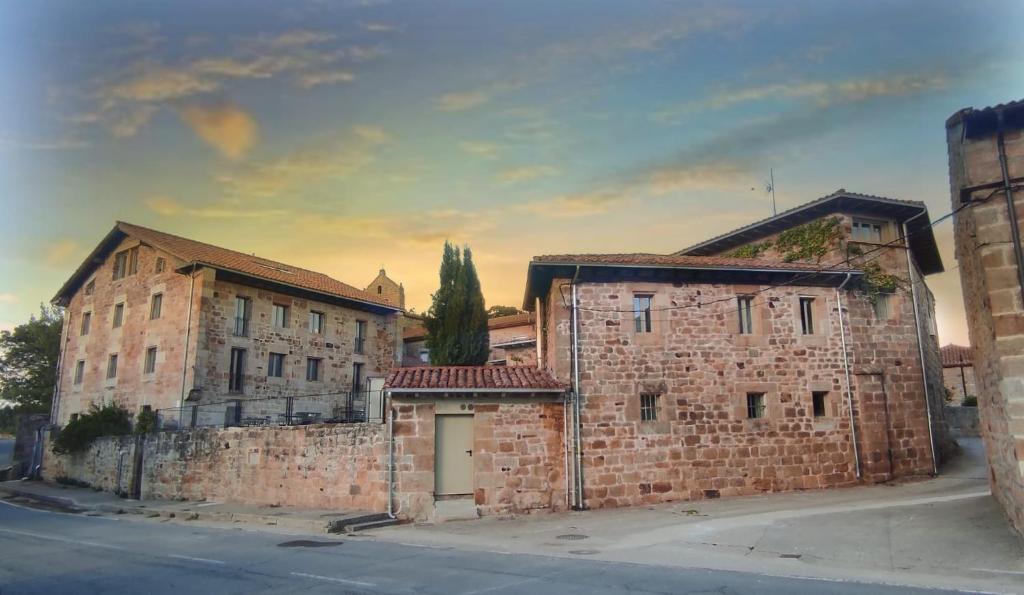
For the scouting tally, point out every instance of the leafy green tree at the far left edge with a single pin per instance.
(29, 361)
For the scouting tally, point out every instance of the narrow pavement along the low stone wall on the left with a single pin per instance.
(90, 501)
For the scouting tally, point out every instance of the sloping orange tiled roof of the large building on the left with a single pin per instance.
(223, 259)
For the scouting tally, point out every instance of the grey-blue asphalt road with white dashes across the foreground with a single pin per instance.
(53, 552)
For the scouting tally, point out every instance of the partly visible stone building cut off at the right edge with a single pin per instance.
(987, 172)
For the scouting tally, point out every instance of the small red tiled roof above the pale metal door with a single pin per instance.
(473, 378)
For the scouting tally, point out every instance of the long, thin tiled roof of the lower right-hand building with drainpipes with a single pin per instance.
(644, 260)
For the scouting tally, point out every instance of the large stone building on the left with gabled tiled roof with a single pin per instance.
(157, 321)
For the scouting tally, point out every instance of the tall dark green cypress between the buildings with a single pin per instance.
(457, 322)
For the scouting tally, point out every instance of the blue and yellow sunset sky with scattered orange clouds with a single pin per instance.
(349, 136)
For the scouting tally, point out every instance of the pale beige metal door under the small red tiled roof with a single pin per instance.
(453, 455)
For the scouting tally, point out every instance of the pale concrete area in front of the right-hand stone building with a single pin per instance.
(943, 533)
